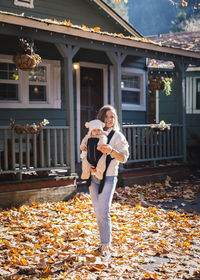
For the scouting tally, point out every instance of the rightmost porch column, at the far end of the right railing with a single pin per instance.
(181, 68)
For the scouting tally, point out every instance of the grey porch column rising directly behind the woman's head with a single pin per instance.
(117, 58)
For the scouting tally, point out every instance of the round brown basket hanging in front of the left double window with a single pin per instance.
(26, 62)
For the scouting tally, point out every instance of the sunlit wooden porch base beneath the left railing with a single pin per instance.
(14, 194)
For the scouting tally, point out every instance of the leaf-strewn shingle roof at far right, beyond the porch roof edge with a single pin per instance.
(189, 41)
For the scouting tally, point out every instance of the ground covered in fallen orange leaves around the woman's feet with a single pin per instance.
(57, 240)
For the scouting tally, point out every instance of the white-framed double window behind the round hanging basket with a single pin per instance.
(38, 88)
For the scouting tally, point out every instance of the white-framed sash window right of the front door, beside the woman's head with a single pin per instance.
(132, 87)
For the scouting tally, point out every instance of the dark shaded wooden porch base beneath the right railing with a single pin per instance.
(158, 174)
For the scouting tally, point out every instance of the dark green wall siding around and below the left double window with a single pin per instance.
(23, 116)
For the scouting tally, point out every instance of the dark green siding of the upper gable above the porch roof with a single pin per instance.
(77, 11)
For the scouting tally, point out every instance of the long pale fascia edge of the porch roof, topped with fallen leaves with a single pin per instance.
(93, 34)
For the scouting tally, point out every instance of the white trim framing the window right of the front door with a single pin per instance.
(142, 105)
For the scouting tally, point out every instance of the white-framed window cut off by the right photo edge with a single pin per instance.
(193, 95)
